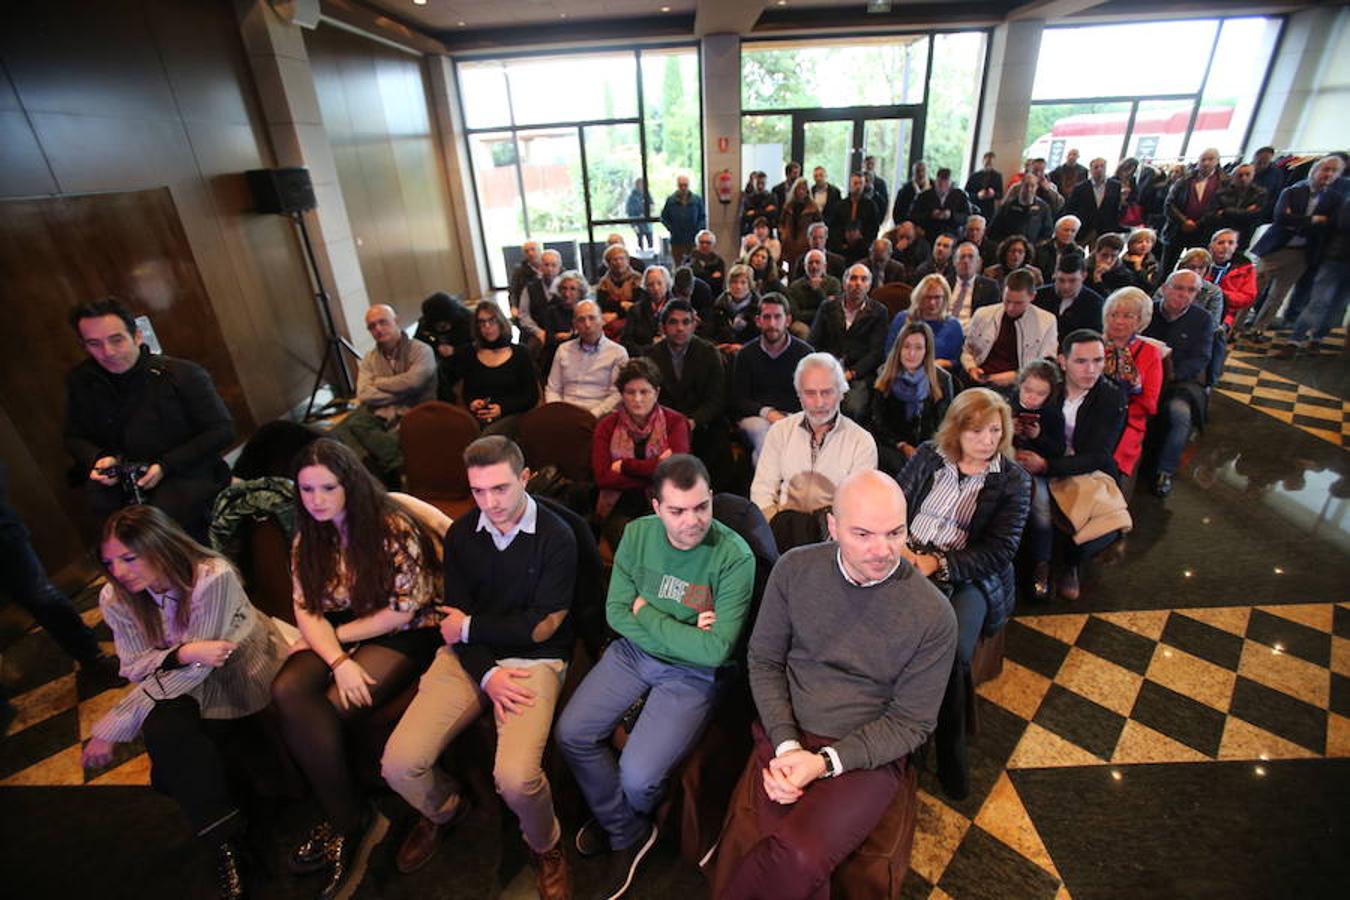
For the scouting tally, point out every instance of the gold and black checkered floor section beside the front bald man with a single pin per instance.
(1118, 690)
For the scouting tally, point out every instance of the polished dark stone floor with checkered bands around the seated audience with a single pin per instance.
(1183, 731)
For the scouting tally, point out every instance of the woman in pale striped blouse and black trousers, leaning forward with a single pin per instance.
(202, 660)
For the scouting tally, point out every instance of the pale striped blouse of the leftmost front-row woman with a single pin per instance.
(221, 612)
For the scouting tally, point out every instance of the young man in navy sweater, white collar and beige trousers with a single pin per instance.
(510, 578)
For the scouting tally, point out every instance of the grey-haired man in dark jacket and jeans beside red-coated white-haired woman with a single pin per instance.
(1179, 323)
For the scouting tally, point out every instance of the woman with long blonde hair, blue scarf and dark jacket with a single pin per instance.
(911, 397)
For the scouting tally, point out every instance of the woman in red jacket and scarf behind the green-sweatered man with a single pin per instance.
(628, 446)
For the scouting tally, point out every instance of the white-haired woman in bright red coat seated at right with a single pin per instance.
(1136, 365)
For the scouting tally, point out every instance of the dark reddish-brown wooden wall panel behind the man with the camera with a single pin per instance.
(56, 252)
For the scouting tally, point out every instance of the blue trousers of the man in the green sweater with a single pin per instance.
(623, 793)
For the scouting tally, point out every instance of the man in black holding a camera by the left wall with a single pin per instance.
(142, 427)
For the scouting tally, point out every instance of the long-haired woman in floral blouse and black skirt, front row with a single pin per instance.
(365, 589)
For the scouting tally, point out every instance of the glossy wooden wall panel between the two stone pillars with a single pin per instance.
(375, 103)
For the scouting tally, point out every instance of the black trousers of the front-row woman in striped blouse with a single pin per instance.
(188, 763)
